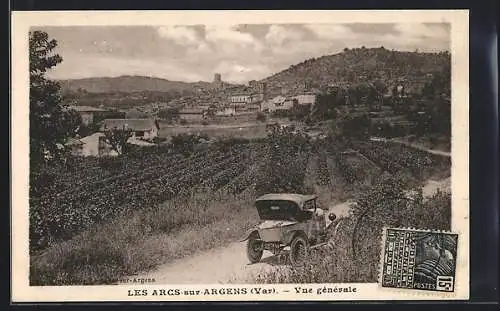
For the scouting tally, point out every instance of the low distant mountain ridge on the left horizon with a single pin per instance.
(130, 84)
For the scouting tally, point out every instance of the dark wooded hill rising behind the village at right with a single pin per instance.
(354, 66)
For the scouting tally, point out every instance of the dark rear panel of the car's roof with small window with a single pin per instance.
(278, 210)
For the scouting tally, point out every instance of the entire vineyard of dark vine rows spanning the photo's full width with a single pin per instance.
(68, 200)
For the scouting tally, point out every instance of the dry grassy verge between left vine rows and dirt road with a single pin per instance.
(145, 239)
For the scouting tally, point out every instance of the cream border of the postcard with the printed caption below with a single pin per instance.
(22, 21)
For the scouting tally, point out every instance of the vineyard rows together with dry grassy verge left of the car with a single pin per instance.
(94, 221)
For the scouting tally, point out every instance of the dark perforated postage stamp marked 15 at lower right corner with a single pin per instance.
(418, 259)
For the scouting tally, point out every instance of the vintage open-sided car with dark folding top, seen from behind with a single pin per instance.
(288, 221)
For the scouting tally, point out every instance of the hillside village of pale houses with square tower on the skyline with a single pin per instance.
(220, 107)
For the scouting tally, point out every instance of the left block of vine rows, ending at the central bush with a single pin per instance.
(66, 202)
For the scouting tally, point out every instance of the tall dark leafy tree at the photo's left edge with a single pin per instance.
(51, 122)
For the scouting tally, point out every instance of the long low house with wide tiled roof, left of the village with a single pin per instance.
(141, 128)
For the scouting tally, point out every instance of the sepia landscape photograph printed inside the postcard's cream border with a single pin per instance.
(245, 153)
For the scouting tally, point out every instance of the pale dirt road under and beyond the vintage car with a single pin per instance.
(229, 264)
